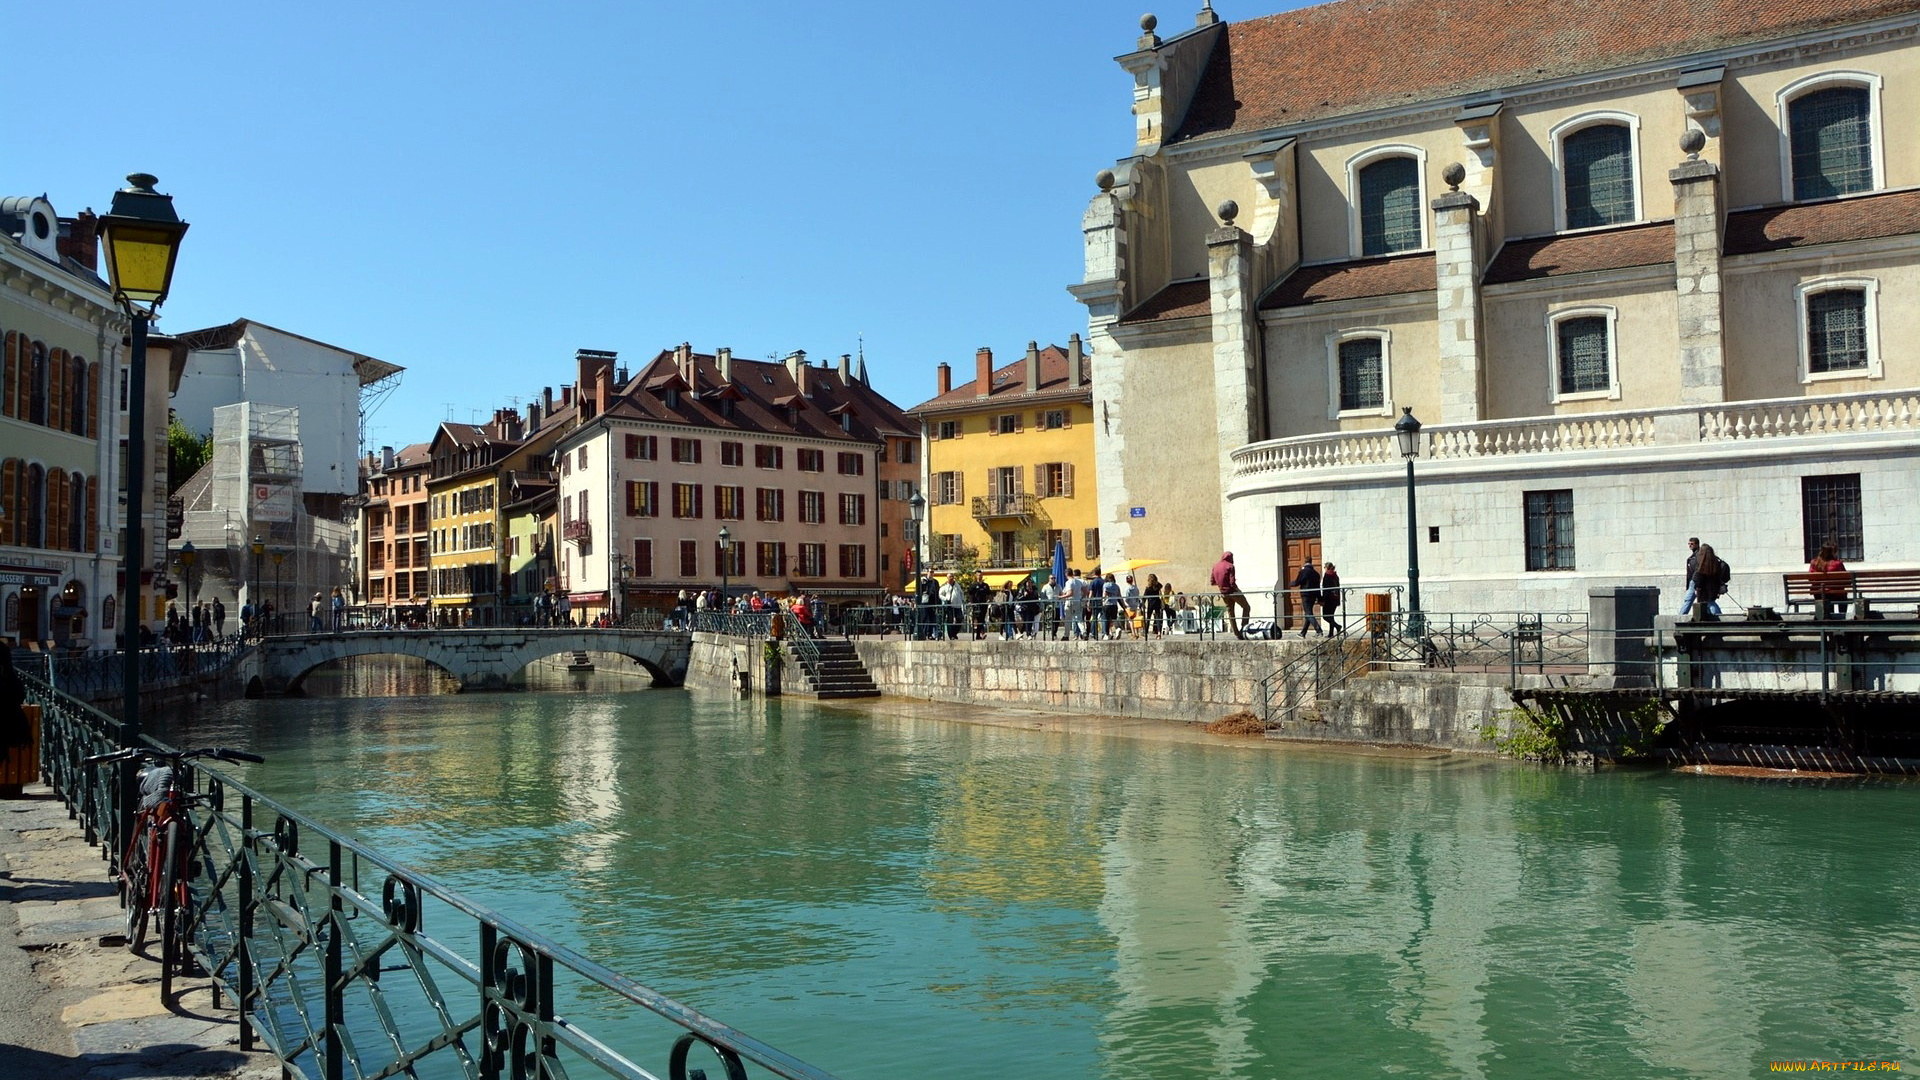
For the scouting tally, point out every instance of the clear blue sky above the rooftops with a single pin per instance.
(479, 189)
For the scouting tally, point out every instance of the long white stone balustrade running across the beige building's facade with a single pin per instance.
(1671, 428)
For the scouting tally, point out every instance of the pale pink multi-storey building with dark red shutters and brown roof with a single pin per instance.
(805, 468)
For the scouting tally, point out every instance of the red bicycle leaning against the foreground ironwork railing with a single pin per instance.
(158, 864)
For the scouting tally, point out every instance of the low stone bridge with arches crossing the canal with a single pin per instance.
(479, 660)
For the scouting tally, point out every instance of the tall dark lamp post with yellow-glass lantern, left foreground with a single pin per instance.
(141, 237)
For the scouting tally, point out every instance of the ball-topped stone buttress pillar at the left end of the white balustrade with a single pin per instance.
(1237, 401)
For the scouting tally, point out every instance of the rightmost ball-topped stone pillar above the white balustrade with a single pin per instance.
(1698, 276)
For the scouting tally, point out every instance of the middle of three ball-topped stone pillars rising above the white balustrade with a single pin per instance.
(1458, 305)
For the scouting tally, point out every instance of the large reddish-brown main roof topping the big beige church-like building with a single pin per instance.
(1358, 55)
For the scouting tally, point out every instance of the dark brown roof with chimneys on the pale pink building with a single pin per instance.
(757, 389)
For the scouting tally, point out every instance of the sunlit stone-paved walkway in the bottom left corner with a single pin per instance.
(78, 1004)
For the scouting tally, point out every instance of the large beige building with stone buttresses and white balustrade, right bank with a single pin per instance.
(1641, 274)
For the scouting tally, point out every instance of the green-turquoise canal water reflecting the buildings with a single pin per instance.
(896, 893)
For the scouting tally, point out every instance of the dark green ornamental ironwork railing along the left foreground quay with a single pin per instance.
(350, 966)
